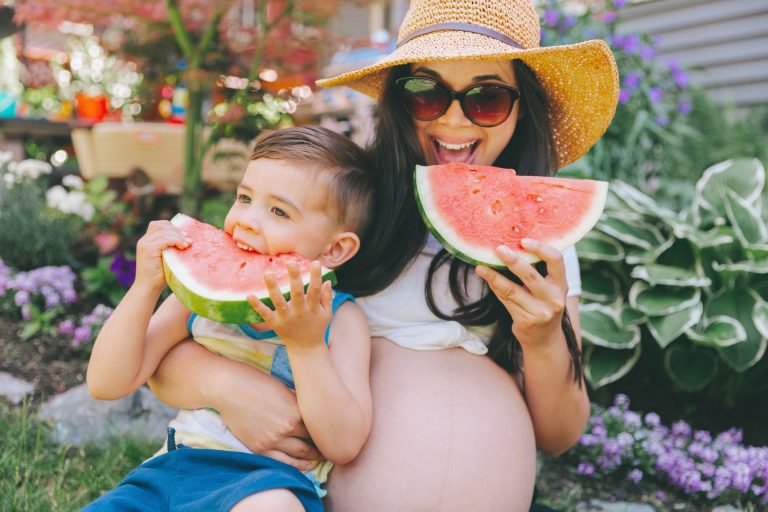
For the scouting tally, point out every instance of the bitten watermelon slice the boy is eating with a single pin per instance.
(214, 276)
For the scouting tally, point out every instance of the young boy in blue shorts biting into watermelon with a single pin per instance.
(306, 191)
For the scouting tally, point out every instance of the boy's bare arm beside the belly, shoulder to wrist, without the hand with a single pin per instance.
(333, 388)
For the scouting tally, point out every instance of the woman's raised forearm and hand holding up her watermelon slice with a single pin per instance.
(559, 405)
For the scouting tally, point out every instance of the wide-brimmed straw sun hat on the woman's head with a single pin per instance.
(581, 79)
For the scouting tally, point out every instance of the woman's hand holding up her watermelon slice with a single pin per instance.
(536, 306)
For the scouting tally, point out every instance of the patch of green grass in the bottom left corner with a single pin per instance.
(36, 474)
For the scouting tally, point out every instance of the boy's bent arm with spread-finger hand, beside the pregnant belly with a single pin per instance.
(331, 385)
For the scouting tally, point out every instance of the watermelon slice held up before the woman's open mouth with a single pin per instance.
(473, 209)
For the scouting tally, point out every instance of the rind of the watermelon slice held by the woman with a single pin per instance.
(480, 256)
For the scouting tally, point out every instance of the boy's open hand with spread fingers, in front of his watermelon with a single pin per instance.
(300, 322)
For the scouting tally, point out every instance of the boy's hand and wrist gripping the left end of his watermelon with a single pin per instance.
(160, 235)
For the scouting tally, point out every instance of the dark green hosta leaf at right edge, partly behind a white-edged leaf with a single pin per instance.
(739, 303)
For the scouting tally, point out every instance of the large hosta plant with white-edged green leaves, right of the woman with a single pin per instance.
(694, 282)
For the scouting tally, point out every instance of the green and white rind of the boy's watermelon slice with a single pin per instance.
(233, 310)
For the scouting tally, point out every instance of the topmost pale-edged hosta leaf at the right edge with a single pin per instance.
(745, 177)
